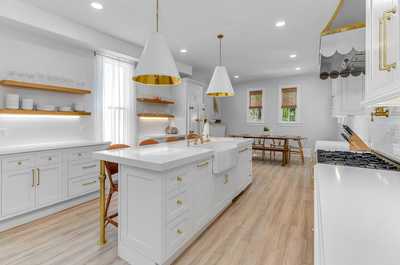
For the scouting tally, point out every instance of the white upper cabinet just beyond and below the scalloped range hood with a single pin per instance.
(347, 96)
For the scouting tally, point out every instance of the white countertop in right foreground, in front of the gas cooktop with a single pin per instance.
(360, 213)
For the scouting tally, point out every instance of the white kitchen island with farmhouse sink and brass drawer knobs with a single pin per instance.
(170, 193)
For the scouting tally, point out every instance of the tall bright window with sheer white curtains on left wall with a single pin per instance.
(116, 98)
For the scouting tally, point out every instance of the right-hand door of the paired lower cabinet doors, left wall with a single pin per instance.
(48, 185)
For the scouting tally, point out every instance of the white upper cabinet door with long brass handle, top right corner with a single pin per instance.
(381, 49)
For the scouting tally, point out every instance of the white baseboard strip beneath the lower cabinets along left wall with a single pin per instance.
(40, 213)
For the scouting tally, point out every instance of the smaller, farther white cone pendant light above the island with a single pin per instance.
(220, 84)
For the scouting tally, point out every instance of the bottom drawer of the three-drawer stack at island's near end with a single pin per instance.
(177, 233)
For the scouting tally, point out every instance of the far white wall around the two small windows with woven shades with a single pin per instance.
(315, 105)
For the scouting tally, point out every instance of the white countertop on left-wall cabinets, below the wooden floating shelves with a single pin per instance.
(15, 149)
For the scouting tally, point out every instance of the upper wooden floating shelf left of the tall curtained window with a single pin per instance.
(44, 87)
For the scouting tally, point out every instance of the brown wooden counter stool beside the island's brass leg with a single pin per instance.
(111, 170)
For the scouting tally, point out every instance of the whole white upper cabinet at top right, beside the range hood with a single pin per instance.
(382, 52)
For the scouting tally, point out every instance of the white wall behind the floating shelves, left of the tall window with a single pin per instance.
(30, 52)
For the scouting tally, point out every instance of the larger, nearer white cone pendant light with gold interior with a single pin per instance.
(157, 66)
